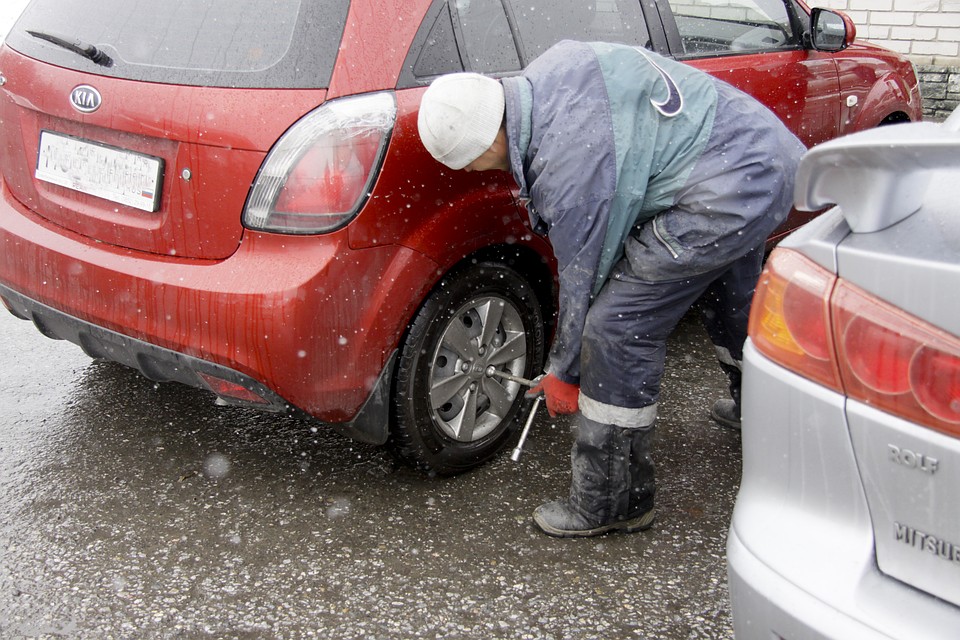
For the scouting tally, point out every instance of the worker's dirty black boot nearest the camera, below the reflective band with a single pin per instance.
(612, 487)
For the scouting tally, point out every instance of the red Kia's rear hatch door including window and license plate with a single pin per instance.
(143, 124)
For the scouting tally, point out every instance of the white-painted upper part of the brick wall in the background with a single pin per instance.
(928, 31)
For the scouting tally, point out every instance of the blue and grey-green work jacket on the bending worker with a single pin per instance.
(602, 138)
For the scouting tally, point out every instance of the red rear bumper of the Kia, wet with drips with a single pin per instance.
(300, 321)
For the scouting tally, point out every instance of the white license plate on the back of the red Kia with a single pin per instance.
(114, 174)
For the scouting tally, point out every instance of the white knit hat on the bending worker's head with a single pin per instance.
(460, 115)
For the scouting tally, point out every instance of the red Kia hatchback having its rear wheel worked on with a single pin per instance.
(232, 195)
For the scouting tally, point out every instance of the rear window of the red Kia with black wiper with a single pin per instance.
(220, 43)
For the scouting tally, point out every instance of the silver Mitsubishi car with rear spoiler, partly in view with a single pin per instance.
(847, 524)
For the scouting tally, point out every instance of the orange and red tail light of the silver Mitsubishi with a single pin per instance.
(880, 355)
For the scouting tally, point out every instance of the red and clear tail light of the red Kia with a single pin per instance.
(318, 175)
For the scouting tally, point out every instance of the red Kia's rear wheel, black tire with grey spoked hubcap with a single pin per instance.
(449, 414)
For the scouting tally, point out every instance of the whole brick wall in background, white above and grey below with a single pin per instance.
(926, 31)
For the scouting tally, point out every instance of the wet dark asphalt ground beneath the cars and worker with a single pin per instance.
(135, 510)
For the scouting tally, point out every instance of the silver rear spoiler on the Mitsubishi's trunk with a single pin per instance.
(880, 176)
